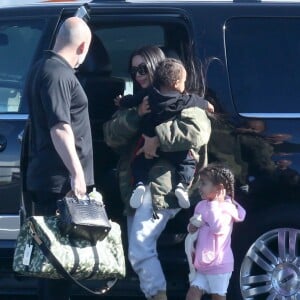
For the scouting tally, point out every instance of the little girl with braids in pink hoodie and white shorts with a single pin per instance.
(212, 259)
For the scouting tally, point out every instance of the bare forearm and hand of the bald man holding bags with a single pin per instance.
(64, 143)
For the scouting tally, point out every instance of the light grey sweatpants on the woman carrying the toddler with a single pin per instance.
(143, 232)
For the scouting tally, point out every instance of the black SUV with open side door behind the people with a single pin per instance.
(251, 51)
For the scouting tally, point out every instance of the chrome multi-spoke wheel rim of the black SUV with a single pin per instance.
(270, 269)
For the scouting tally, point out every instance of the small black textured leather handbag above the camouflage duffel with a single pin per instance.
(83, 218)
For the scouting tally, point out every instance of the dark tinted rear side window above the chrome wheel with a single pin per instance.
(263, 56)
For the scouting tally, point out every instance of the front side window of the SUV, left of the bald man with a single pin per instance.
(18, 42)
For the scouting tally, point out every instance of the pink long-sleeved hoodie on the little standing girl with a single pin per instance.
(213, 248)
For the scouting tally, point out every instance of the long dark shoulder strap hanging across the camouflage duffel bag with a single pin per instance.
(62, 271)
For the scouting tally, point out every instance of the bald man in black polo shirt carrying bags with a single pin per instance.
(61, 155)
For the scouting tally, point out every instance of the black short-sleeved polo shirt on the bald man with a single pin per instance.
(55, 95)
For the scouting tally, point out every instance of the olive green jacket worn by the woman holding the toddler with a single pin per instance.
(190, 130)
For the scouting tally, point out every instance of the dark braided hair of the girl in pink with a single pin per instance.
(218, 174)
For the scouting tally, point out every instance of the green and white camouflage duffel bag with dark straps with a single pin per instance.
(42, 251)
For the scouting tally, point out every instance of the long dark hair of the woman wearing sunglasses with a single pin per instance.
(152, 55)
